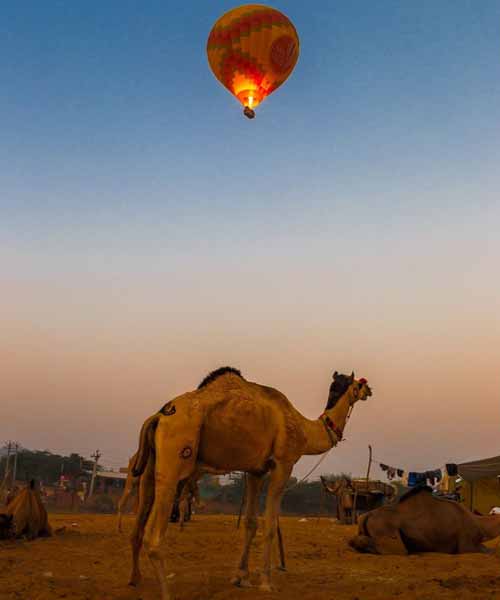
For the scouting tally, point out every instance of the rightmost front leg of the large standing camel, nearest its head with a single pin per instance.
(277, 483)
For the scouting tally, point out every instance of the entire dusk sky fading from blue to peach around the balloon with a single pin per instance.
(150, 233)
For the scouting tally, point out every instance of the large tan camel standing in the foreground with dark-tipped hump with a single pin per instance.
(230, 424)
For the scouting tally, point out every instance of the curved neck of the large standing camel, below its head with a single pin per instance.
(318, 439)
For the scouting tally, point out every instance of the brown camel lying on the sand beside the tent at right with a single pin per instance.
(421, 522)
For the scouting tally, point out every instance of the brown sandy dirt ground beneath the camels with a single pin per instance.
(90, 561)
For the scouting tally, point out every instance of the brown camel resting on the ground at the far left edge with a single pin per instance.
(28, 514)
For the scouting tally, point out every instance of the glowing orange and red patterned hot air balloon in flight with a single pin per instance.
(252, 50)
